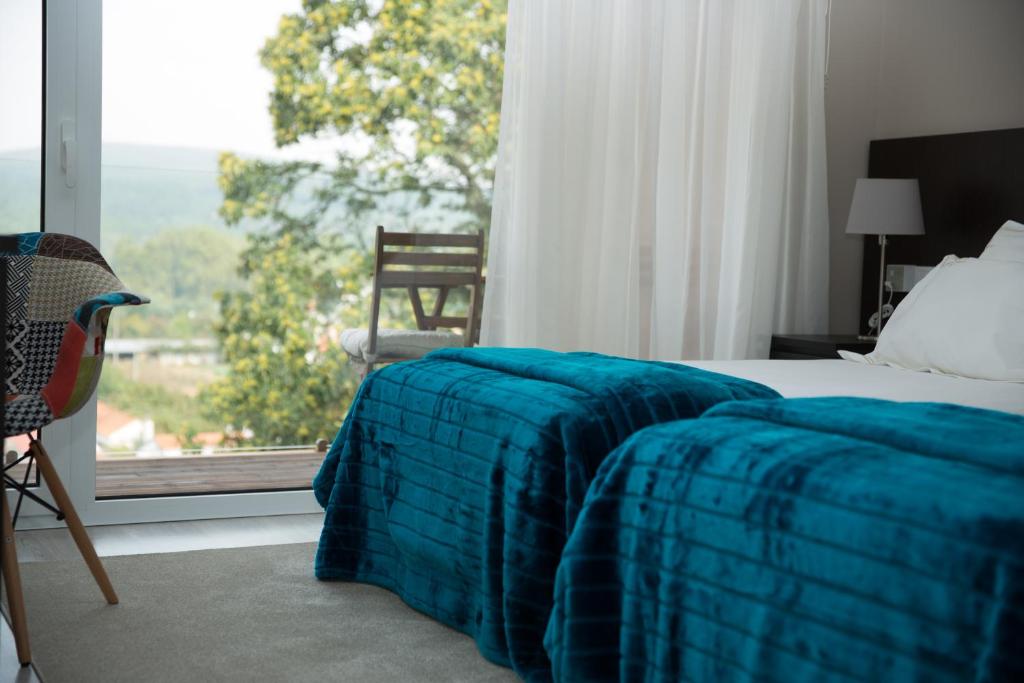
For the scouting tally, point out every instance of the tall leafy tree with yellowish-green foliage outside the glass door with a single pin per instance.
(411, 92)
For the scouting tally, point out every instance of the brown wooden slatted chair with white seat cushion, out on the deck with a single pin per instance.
(414, 262)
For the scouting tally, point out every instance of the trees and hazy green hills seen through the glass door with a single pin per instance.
(274, 259)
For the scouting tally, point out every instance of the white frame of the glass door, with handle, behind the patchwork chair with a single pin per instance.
(74, 95)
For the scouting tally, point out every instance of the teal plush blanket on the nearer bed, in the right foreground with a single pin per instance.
(808, 540)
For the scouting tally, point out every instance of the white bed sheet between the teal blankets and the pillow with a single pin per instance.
(796, 379)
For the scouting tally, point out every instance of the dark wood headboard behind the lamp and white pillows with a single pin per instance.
(971, 184)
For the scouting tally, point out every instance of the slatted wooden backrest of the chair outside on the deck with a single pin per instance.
(451, 270)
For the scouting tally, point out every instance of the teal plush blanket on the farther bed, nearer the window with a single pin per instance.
(457, 479)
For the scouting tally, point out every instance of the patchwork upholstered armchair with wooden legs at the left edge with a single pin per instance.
(58, 301)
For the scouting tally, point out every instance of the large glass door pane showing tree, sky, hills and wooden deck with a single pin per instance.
(242, 181)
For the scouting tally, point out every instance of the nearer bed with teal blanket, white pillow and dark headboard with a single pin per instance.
(874, 536)
